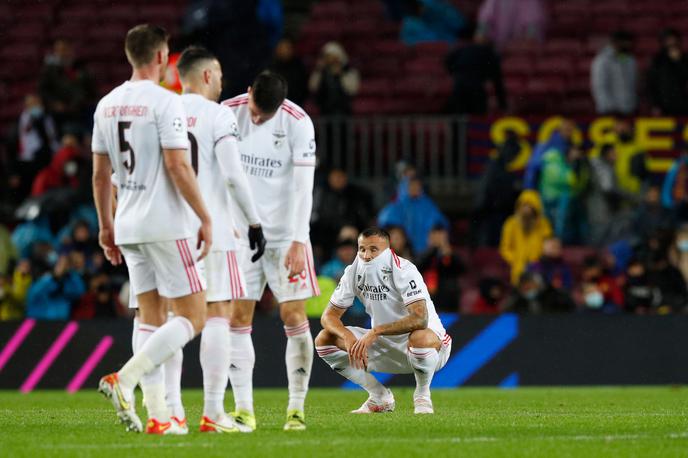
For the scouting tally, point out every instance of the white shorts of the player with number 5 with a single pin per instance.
(170, 267)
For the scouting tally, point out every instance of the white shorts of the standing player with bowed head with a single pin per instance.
(270, 269)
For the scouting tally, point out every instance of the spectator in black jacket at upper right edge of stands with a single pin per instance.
(667, 77)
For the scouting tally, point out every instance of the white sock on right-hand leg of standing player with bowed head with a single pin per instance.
(299, 359)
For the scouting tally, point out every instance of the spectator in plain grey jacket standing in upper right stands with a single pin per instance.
(614, 76)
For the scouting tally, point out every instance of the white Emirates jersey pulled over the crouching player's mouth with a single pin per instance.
(386, 286)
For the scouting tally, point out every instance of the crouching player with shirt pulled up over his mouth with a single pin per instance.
(406, 335)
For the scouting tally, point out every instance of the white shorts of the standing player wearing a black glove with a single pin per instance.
(225, 280)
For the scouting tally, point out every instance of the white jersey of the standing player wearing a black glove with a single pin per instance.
(209, 123)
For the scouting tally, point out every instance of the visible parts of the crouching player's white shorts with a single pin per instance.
(388, 353)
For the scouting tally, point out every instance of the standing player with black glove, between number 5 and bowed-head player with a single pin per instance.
(215, 157)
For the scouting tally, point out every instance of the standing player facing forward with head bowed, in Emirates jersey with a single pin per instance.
(277, 146)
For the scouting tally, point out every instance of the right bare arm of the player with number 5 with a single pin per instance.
(184, 179)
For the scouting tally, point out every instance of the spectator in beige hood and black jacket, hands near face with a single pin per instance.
(334, 82)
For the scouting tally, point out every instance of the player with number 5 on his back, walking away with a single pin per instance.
(140, 133)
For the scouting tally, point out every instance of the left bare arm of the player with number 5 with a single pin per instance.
(102, 196)
